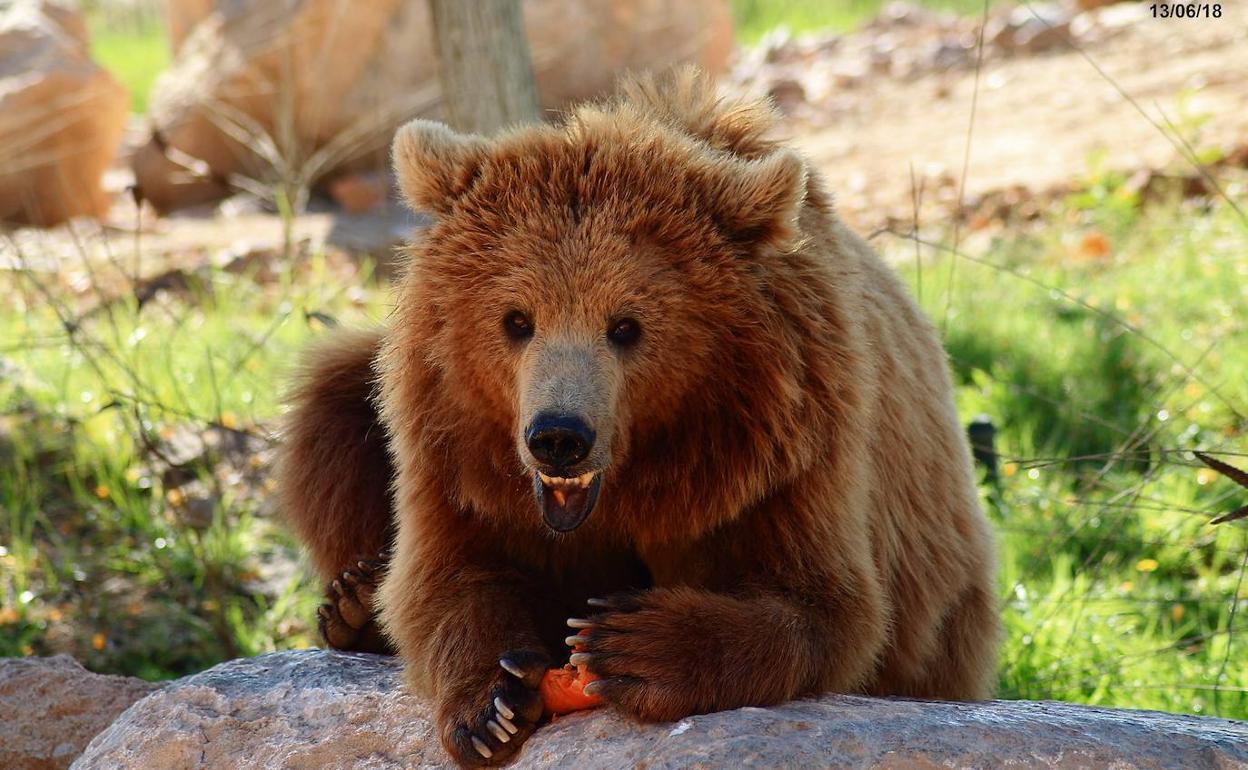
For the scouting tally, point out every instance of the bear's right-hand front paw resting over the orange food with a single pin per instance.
(643, 655)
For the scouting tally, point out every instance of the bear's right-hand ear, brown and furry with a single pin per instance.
(759, 202)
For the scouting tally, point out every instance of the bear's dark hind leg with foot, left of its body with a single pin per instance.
(335, 476)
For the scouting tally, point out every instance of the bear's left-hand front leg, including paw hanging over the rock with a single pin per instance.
(465, 623)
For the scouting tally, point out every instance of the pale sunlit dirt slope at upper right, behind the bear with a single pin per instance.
(879, 105)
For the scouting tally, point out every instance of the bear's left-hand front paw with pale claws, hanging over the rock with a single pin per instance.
(490, 727)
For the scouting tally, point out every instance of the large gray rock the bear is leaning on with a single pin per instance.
(318, 709)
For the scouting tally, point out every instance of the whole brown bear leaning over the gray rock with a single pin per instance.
(638, 363)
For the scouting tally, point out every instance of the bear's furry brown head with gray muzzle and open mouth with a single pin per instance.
(598, 319)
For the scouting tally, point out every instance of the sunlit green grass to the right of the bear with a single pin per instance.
(1118, 590)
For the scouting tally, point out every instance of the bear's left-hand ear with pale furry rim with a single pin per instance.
(435, 167)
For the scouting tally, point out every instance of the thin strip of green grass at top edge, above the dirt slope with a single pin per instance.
(757, 18)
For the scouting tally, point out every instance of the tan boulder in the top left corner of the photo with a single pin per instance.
(62, 117)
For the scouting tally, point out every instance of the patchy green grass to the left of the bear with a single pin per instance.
(124, 540)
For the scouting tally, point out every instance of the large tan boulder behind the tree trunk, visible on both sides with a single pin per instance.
(305, 89)
